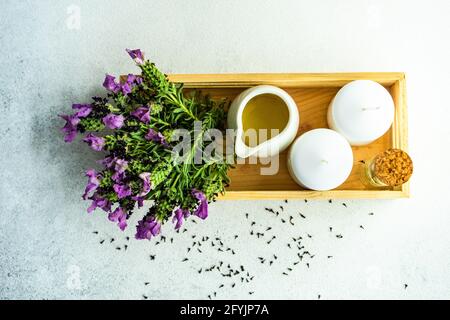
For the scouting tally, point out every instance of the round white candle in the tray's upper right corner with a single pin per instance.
(362, 111)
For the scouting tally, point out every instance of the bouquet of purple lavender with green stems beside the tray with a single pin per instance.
(135, 126)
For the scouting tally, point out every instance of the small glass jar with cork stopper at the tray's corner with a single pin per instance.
(391, 168)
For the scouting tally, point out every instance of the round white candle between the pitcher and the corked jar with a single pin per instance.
(320, 159)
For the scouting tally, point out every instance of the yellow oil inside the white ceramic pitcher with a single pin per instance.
(264, 112)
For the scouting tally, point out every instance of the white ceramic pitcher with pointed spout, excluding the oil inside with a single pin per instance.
(271, 146)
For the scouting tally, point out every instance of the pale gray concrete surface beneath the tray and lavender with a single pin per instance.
(48, 249)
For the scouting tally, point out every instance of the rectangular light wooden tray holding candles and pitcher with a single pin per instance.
(312, 93)
